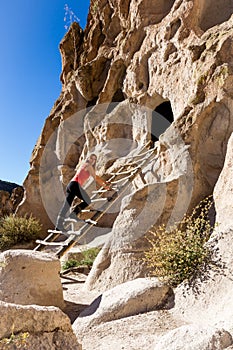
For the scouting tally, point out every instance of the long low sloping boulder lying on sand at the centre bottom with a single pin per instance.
(127, 299)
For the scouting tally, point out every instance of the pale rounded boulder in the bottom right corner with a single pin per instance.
(193, 337)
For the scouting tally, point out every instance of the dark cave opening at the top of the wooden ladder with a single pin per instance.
(162, 117)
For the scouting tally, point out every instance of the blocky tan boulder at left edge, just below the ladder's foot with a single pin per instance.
(29, 277)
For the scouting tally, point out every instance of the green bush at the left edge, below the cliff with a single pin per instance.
(15, 229)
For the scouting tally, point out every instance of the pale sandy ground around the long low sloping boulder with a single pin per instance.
(130, 333)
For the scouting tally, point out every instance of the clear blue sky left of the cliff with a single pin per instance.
(30, 67)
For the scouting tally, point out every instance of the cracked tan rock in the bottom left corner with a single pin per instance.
(42, 327)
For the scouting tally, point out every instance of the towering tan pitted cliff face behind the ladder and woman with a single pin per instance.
(133, 59)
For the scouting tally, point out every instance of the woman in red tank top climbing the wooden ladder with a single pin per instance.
(75, 189)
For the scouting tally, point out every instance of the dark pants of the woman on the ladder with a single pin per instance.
(73, 190)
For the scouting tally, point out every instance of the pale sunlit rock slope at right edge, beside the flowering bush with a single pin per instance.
(213, 304)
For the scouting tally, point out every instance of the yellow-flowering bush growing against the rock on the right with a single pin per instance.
(181, 254)
